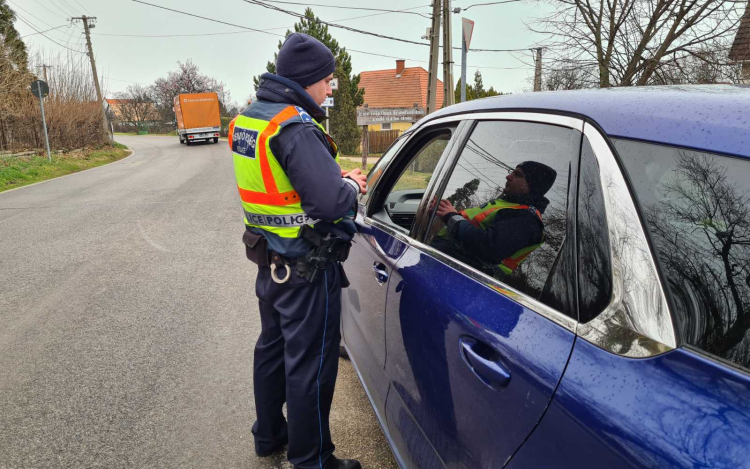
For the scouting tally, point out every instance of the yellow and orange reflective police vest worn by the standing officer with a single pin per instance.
(268, 198)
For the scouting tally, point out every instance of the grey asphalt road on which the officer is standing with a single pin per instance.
(129, 319)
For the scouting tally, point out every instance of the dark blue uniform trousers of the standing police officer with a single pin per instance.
(296, 361)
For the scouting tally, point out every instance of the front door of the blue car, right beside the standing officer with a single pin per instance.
(375, 250)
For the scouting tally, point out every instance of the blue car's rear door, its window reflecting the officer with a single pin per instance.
(474, 356)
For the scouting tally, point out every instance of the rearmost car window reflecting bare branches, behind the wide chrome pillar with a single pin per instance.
(697, 208)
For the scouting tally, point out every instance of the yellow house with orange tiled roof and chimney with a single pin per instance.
(395, 91)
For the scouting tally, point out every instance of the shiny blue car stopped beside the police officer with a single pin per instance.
(617, 337)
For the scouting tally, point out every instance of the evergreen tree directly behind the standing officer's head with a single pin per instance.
(347, 98)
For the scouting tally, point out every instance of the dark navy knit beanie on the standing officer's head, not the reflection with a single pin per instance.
(304, 59)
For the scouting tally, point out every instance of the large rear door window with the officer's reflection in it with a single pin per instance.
(504, 208)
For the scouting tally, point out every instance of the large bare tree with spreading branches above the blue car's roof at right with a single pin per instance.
(629, 42)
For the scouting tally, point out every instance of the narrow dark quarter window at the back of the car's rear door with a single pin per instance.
(594, 262)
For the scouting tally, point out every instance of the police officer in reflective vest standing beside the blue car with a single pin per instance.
(296, 200)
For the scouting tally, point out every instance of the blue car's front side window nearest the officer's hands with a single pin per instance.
(409, 177)
